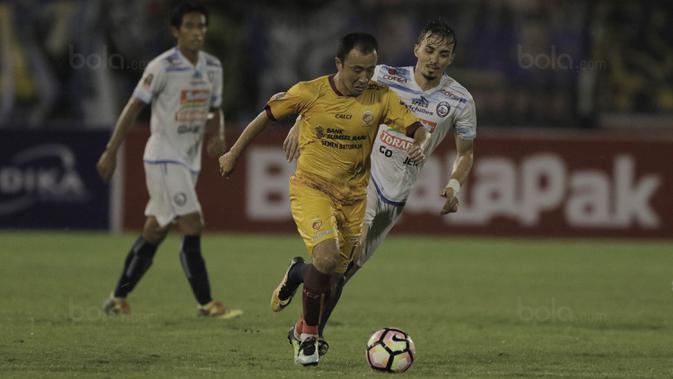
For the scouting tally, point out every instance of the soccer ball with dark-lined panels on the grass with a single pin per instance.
(390, 350)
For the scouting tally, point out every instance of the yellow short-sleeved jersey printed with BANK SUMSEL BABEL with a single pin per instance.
(337, 132)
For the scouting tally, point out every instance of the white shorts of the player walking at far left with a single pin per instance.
(172, 189)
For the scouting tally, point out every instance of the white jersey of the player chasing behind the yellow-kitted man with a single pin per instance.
(440, 108)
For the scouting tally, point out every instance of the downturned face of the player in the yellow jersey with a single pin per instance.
(356, 70)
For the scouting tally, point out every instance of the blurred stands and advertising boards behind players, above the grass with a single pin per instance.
(574, 104)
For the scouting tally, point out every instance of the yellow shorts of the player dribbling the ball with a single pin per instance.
(319, 217)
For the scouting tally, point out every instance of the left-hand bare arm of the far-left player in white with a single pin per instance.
(108, 160)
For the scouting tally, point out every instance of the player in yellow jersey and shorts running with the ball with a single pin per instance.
(340, 115)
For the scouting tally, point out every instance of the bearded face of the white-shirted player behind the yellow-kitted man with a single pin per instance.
(435, 54)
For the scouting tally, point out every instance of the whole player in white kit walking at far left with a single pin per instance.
(183, 85)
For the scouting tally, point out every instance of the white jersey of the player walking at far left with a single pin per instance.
(181, 95)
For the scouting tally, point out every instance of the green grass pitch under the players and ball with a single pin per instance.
(475, 308)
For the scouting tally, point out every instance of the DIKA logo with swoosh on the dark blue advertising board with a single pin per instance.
(44, 173)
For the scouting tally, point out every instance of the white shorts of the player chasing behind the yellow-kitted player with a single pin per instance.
(380, 217)
